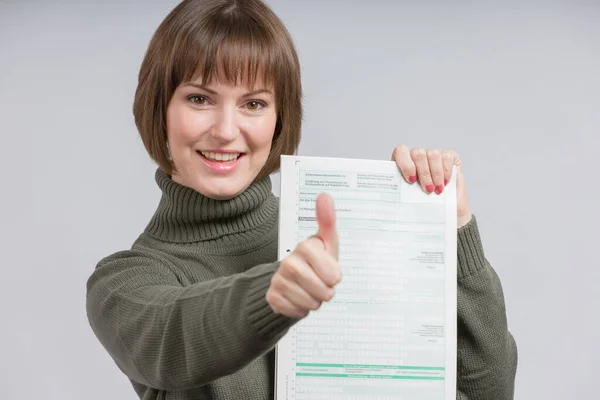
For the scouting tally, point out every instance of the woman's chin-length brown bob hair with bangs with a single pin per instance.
(244, 38)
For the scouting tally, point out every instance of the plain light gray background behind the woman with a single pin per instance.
(513, 87)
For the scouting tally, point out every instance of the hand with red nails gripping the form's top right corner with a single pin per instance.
(433, 169)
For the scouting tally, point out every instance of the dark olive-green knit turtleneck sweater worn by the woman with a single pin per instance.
(183, 312)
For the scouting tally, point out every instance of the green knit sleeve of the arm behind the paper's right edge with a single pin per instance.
(487, 353)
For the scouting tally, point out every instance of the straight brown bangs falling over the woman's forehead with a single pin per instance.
(240, 51)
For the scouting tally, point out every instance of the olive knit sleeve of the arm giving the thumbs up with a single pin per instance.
(167, 336)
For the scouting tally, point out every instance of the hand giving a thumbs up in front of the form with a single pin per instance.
(306, 278)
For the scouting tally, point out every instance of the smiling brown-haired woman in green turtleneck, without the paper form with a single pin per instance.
(194, 309)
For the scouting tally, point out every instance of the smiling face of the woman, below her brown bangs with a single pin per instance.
(220, 135)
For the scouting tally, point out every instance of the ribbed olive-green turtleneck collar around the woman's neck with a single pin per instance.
(186, 216)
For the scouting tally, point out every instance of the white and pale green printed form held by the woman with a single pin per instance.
(390, 330)
